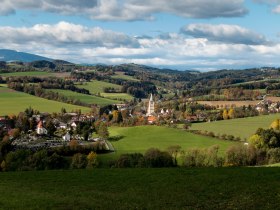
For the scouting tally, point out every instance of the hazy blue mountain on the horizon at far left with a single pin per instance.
(12, 55)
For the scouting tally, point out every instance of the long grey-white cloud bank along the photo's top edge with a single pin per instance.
(130, 10)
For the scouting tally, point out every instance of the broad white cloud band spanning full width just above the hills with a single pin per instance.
(80, 44)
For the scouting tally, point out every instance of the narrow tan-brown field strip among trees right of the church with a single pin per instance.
(229, 103)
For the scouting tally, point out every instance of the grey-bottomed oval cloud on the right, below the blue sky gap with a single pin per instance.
(224, 33)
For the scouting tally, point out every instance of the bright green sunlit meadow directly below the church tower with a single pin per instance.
(142, 138)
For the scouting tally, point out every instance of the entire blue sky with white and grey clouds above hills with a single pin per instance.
(179, 34)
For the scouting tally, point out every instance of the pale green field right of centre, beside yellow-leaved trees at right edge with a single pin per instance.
(244, 127)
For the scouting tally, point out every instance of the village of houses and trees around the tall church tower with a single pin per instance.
(44, 130)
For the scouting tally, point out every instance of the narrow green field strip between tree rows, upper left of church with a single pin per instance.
(88, 99)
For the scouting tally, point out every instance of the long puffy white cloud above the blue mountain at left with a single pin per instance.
(65, 33)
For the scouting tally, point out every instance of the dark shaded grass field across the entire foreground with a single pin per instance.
(174, 188)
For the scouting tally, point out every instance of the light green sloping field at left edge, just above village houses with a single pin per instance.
(13, 102)
